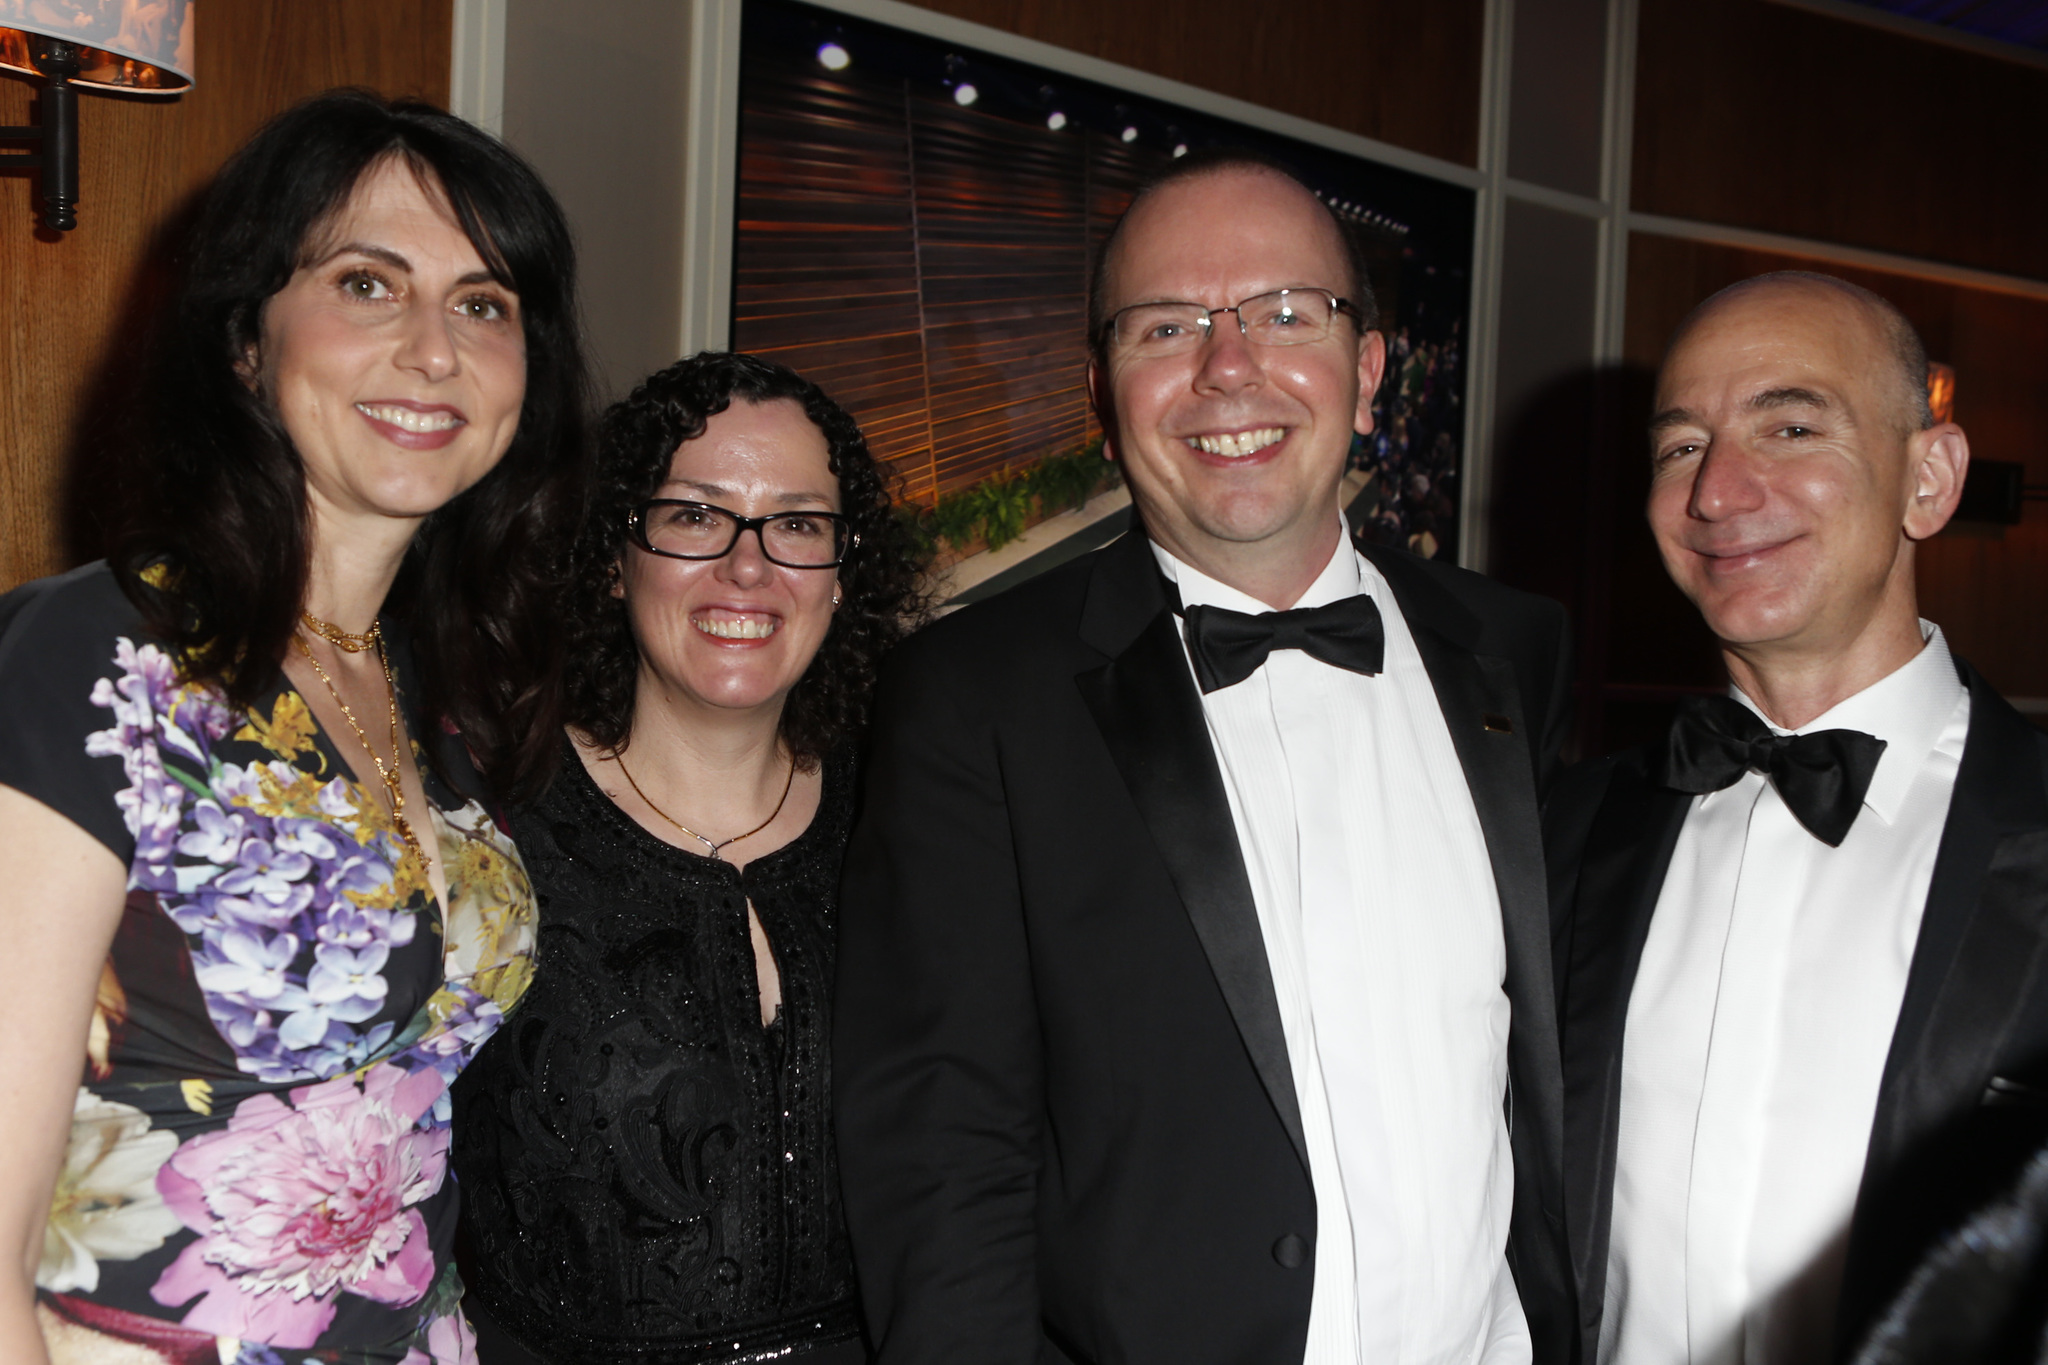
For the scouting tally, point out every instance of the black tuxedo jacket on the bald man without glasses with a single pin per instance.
(1965, 1092)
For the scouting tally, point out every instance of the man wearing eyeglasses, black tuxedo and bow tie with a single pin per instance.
(1199, 883)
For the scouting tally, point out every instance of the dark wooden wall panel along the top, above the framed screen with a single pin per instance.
(1383, 69)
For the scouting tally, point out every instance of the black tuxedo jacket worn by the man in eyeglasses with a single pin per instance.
(1068, 1125)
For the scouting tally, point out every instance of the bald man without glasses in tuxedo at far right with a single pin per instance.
(1799, 940)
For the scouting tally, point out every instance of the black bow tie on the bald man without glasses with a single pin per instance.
(1820, 777)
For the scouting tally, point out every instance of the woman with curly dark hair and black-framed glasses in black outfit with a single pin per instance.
(646, 1151)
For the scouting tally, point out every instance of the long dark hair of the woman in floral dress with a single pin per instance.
(216, 541)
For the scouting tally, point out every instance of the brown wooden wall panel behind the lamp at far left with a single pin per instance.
(73, 304)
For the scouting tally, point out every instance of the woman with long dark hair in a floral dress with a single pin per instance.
(257, 914)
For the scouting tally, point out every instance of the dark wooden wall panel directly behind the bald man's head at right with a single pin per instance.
(1986, 586)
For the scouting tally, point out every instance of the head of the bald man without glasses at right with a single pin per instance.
(1787, 486)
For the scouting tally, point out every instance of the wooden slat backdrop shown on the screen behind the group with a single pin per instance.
(927, 265)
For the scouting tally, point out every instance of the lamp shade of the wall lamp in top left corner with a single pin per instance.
(136, 46)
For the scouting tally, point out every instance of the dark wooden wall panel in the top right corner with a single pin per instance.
(1773, 118)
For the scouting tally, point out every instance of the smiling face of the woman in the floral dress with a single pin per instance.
(392, 357)
